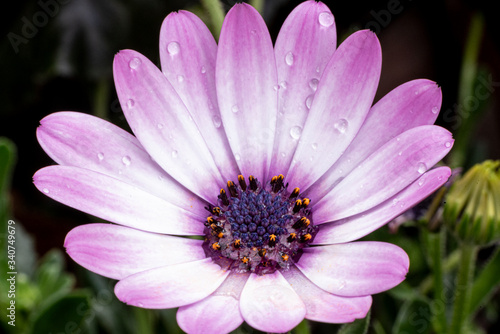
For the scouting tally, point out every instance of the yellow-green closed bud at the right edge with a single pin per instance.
(472, 207)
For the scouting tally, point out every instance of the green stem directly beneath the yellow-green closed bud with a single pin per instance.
(463, 288)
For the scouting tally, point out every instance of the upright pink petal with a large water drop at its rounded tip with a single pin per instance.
(304, 46)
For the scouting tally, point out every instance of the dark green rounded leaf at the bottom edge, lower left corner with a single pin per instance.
(63, 315)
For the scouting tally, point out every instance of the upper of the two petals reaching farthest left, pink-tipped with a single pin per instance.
(81, 140)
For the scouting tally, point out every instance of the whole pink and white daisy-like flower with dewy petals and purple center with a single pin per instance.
(220, 133)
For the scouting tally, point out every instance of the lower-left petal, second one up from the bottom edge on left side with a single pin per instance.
(171, 286)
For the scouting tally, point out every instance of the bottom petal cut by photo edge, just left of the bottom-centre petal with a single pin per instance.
(218, 313)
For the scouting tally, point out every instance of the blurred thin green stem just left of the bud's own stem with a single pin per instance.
(436, 243)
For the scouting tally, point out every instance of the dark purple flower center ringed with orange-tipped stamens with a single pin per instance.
(258, 228)
